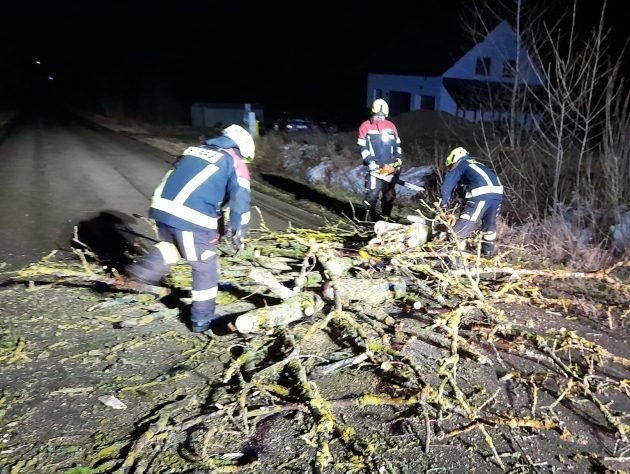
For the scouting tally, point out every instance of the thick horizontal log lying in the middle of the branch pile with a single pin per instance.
(369, 291)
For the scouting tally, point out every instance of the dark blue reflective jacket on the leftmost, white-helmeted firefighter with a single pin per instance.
(203, 180)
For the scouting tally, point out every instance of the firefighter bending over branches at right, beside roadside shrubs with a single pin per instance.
(484, 193)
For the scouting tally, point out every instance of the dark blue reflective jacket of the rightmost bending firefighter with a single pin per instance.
(476, 178)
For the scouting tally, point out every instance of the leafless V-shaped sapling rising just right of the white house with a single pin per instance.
(575, 99)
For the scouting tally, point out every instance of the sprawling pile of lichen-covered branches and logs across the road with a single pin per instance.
(363, 296)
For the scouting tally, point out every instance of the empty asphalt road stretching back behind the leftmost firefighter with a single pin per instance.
(58, 175)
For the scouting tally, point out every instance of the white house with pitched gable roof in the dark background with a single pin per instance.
(476, 87)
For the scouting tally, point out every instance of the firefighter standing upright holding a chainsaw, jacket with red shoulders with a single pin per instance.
(379, 145)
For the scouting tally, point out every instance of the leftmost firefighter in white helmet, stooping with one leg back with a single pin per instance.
(187, 205)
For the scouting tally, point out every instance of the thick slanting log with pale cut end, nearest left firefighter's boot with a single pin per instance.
(290, 310)
